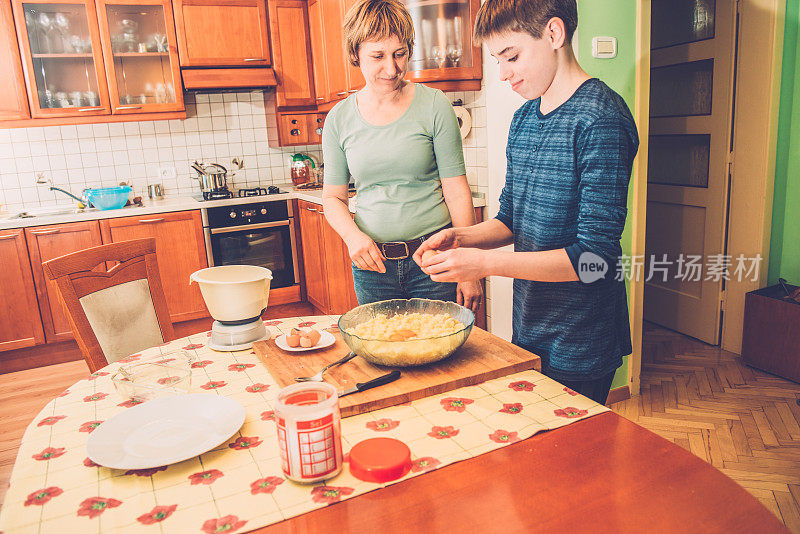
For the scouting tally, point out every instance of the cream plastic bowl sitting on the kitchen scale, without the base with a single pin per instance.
(234, 294)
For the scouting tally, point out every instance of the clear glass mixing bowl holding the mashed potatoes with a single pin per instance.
(412, 352)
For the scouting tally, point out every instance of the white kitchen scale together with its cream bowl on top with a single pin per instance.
(236, 296)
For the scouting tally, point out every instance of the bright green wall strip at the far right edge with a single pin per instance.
(784, 256)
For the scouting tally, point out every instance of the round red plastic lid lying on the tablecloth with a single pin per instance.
(380, 460)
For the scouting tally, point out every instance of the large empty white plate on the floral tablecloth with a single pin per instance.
(165, 431)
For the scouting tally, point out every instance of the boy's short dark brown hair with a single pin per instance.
(530, 16)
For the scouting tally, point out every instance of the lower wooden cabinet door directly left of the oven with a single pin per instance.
(180, 249)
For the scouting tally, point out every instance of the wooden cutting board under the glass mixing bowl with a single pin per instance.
(483, 356)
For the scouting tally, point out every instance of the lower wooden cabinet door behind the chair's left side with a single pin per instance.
(46, 243)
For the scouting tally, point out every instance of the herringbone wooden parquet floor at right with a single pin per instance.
(743, 421)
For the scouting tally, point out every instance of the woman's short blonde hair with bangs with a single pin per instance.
(375, 20)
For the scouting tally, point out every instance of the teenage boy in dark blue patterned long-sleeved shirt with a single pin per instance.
(570, 152)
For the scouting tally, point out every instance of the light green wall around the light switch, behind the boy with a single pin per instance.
(615, 18)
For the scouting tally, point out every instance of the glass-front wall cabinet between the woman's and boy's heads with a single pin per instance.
(444, 49)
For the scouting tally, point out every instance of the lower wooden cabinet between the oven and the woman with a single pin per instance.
(326, 261)
